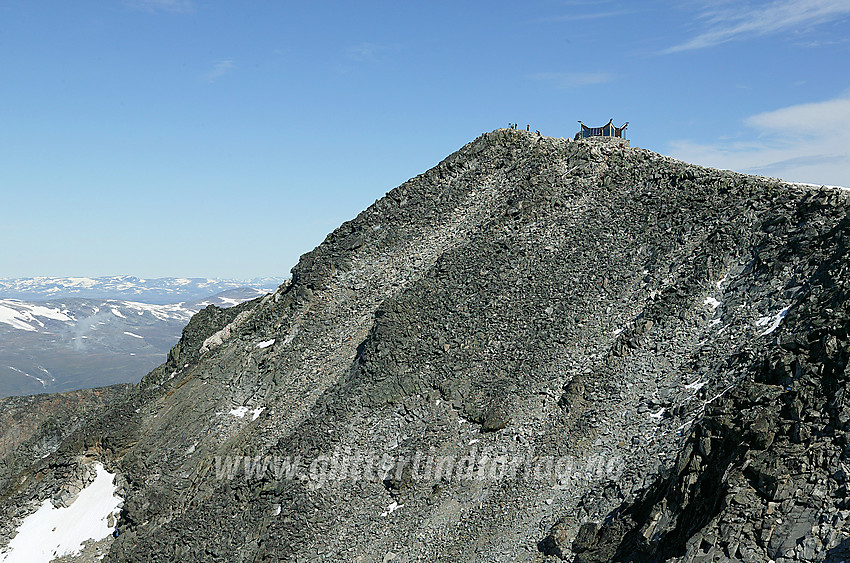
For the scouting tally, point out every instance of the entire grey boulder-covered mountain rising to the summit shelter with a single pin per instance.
(537, 350)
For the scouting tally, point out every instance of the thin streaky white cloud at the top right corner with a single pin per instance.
(755, 19)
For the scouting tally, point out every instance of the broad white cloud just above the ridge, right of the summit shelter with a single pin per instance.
(802, 143)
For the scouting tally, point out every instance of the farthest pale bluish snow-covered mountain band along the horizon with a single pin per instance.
(145, 290)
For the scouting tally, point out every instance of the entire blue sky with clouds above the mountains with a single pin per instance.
(191, 138)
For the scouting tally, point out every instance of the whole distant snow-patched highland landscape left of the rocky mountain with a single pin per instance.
(60, 334)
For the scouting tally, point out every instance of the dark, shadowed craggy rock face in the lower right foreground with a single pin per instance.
(764, 474)
